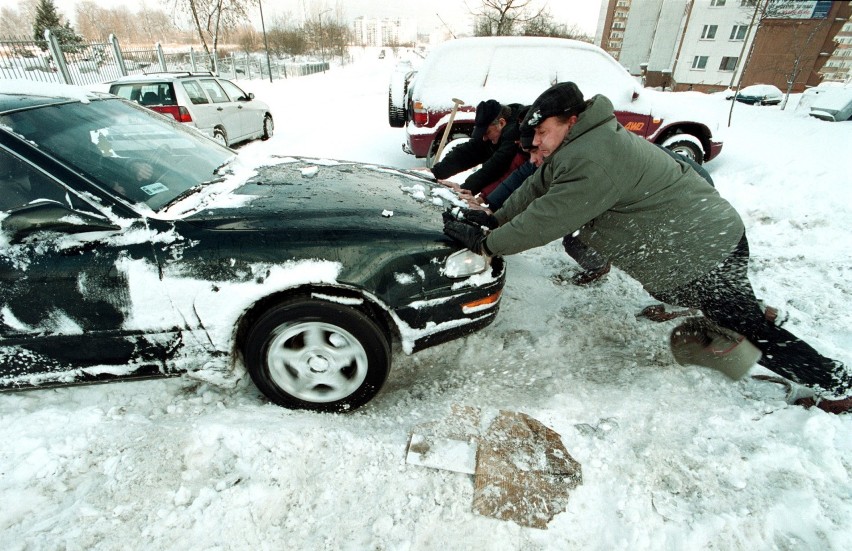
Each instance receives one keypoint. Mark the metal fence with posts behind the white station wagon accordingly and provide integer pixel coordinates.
(104, 61)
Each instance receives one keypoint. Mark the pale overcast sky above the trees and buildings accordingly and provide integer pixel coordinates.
(583, 13)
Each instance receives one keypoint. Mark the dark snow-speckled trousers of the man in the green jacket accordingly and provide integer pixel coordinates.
(726, 297)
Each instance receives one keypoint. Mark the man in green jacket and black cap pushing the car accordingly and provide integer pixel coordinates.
(661, 223)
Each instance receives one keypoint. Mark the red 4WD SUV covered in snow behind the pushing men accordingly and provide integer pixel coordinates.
(517, 70)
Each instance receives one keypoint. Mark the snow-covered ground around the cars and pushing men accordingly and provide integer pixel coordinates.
(673, 457)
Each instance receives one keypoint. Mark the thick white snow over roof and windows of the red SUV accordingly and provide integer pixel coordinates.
(517, 69)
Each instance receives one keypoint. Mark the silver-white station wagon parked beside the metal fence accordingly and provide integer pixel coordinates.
(216, 106)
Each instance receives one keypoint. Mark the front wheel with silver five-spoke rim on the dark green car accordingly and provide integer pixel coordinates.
(318, 356)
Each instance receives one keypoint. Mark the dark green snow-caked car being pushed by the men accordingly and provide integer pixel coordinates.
(109, 271)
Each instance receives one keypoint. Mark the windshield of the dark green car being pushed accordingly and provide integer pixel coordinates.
(141, 156)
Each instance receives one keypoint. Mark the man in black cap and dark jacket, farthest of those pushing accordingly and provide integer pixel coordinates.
(493, 145)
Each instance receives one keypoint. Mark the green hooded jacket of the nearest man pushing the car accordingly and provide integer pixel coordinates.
(651, 215)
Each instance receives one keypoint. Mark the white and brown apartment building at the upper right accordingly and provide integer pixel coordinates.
(704, 44)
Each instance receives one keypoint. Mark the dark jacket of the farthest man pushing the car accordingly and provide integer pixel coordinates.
(495, 159)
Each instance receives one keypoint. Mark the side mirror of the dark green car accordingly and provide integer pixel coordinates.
(49, 215)
